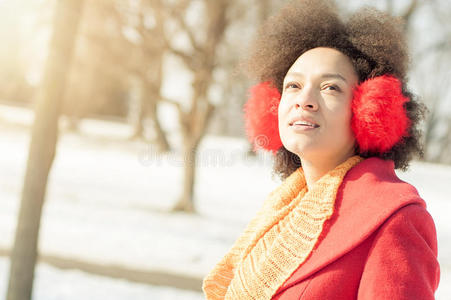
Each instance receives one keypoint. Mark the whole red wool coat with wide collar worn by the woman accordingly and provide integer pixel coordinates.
(379, 244)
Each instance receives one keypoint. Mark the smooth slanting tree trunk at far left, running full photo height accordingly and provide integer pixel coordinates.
(42, 149)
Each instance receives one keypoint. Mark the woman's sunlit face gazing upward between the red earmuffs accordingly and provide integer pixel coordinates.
(315, 108)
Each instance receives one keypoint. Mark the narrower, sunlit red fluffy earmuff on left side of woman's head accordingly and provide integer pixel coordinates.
(260, 113)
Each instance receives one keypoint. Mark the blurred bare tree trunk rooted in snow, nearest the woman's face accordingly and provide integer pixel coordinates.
(194, 121)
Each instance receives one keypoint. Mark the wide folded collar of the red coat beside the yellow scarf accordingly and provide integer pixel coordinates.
(369, 194)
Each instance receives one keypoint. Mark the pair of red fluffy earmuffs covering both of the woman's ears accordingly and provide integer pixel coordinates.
(379, 119)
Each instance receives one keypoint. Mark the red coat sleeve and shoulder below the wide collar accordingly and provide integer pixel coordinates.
(403, 256)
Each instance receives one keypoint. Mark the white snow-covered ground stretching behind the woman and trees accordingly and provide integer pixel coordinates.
(108, 198)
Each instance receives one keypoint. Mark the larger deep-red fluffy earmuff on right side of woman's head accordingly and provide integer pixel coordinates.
(379, 119)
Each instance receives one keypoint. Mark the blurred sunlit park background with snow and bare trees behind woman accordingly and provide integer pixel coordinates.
(125, 169)
